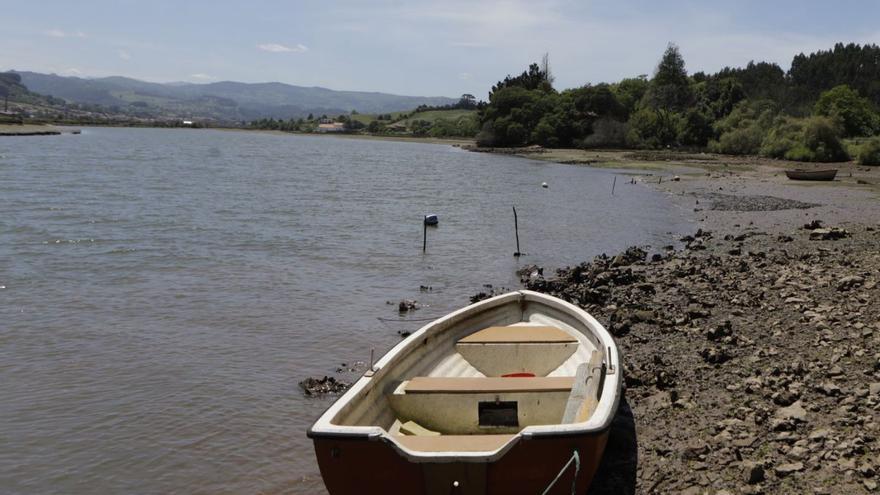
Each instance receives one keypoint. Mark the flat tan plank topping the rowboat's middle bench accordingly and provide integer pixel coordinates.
(424, 384)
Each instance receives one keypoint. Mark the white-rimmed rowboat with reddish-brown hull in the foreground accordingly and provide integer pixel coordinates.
(513, 394)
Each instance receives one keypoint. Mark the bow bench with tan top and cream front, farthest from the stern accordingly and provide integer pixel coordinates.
(497, 351)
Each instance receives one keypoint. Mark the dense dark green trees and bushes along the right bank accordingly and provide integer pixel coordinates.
(757, 109)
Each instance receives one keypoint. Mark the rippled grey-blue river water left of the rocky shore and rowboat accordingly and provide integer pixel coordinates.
(165, 290)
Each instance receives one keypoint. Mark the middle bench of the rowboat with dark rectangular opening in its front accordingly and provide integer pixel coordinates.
(480, 405)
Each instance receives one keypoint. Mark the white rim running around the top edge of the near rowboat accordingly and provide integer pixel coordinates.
(599, 422)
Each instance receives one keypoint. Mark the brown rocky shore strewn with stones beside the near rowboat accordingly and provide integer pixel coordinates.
(752, 360)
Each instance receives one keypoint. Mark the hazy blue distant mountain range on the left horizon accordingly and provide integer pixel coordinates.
(220, 101)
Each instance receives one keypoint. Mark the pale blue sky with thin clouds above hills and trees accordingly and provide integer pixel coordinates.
(431, 48)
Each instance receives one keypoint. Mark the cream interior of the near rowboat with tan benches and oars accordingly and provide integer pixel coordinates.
(472, 381)
